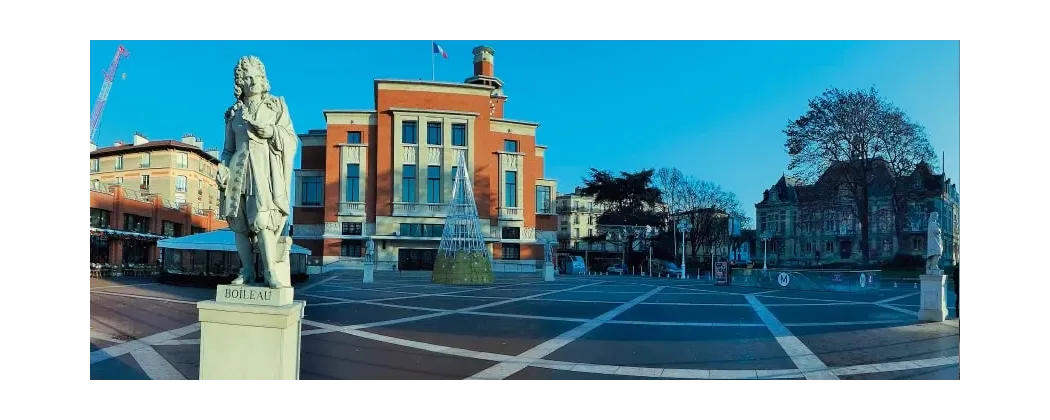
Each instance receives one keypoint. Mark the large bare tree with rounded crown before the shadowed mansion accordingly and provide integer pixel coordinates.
(844, 138)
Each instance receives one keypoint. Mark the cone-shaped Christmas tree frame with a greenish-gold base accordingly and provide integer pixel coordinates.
(463, 259)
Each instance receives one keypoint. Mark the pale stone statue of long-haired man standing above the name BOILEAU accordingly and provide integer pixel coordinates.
(256, 172)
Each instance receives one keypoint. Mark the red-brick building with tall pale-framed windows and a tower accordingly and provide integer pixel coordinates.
(387, 174)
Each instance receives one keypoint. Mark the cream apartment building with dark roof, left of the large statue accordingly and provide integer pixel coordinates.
(177, 172)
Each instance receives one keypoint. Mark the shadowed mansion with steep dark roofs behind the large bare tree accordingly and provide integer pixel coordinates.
(807, 227)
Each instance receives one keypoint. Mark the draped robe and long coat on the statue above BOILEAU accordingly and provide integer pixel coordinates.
(258, 192)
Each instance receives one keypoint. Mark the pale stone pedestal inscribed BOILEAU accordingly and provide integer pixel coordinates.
(250, 334)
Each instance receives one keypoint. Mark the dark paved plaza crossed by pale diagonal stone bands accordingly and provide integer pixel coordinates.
(402, 329)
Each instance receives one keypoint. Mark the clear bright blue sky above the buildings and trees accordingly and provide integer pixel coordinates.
(715, 110)
